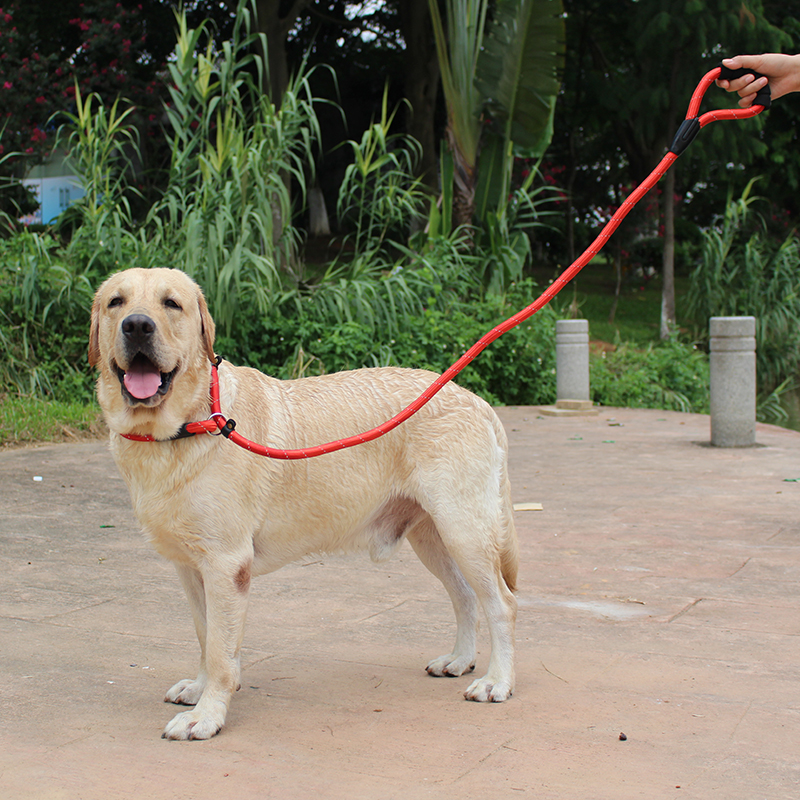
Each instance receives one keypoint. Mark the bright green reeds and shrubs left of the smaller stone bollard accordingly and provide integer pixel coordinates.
(226, 218)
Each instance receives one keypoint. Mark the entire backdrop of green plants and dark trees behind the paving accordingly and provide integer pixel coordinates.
(199, 139)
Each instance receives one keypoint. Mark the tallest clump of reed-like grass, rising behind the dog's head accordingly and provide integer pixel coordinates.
(226, 215)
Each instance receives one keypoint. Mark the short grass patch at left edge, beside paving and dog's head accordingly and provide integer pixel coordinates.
(28, 420)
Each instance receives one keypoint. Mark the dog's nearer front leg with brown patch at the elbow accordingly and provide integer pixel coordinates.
(226, 589)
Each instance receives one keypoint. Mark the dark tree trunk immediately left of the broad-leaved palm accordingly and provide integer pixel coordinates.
(421, 84)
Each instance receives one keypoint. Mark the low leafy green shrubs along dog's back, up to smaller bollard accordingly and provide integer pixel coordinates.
(518, 368)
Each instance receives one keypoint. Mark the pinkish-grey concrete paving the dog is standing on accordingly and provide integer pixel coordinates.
(659, 599)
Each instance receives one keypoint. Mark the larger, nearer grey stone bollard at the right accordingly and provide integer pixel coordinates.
(733, 381)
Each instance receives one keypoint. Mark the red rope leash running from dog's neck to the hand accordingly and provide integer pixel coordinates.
(686, 133)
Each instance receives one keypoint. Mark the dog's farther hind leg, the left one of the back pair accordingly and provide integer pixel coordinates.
(428, 545)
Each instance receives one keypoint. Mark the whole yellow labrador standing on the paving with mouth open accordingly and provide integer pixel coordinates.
(439, 480)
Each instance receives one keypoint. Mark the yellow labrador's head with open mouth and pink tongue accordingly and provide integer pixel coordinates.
(152, 339)
